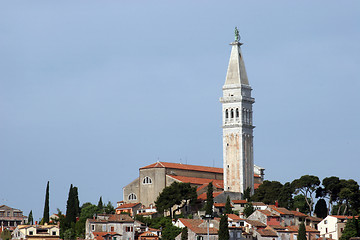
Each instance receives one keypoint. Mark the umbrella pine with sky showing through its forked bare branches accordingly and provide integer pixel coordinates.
(307, 185)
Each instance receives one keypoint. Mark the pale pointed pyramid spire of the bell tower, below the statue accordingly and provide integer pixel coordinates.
(236, 73)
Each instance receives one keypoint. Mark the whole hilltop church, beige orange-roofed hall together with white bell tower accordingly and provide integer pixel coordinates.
(238, 173)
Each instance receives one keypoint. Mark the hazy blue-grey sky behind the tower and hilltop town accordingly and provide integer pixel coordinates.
(90, 91)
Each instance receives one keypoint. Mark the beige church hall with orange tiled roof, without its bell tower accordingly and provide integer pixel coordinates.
(155, 177)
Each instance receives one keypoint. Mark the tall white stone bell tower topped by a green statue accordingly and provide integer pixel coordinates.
(237, 125)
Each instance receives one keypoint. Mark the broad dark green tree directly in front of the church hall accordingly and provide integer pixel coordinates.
(179, 194)
